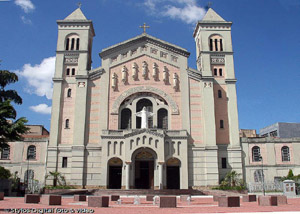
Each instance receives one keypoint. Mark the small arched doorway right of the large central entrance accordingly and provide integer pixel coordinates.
(173, 173)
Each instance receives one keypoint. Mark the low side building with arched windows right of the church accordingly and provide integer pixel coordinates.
(273, 157)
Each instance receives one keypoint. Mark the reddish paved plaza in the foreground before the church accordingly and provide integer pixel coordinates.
(203, 204)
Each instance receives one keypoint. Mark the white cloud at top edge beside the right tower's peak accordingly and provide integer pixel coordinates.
(185, 10)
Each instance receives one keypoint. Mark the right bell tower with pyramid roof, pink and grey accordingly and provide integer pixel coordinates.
(215, 62)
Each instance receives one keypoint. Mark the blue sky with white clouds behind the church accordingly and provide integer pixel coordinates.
(265, 34)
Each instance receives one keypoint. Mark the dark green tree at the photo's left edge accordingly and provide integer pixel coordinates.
(11, 129)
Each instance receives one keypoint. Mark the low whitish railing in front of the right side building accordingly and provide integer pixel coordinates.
(268, 187)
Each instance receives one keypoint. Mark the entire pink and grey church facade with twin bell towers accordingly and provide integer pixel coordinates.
(98, 138)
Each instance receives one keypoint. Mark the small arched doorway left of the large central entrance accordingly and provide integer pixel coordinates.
(115, 173)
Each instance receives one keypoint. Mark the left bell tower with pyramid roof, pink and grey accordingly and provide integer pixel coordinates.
(69, 104)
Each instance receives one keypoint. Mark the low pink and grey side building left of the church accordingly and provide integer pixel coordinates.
(27, 158)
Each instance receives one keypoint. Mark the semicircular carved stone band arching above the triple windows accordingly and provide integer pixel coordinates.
(129, 92)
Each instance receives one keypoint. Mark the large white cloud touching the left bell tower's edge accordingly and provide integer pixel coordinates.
(39, 77)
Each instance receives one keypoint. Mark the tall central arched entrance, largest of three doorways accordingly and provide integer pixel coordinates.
(144, 168)
